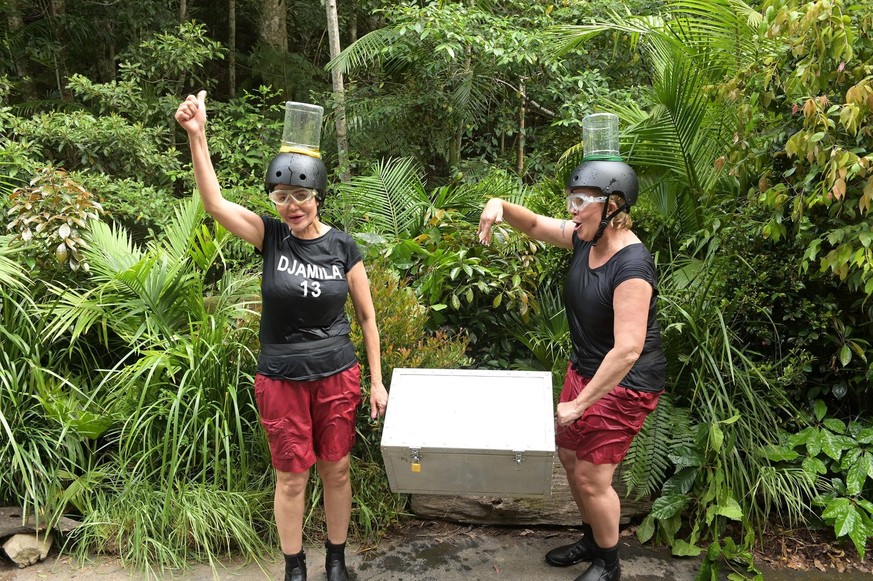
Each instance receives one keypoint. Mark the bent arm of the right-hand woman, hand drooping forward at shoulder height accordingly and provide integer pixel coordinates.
(550, 230)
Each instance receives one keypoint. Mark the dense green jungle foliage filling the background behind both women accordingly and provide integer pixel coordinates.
(129, 319)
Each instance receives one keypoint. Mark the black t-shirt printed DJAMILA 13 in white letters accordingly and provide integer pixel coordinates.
(304, 329)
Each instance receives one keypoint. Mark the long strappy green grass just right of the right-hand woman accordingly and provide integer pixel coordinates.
(729, 387)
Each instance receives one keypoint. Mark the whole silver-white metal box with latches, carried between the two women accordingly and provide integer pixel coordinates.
(469, 432)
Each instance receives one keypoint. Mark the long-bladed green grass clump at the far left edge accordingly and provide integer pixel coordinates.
(47, 422)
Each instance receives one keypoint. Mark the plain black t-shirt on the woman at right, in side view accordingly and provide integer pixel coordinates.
(588, 299)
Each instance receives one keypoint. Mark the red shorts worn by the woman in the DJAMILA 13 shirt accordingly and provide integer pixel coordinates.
(305, 420)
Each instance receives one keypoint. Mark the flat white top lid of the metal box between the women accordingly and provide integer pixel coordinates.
(468, 409)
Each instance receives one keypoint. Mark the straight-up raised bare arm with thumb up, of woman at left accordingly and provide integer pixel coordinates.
(238, 220)
